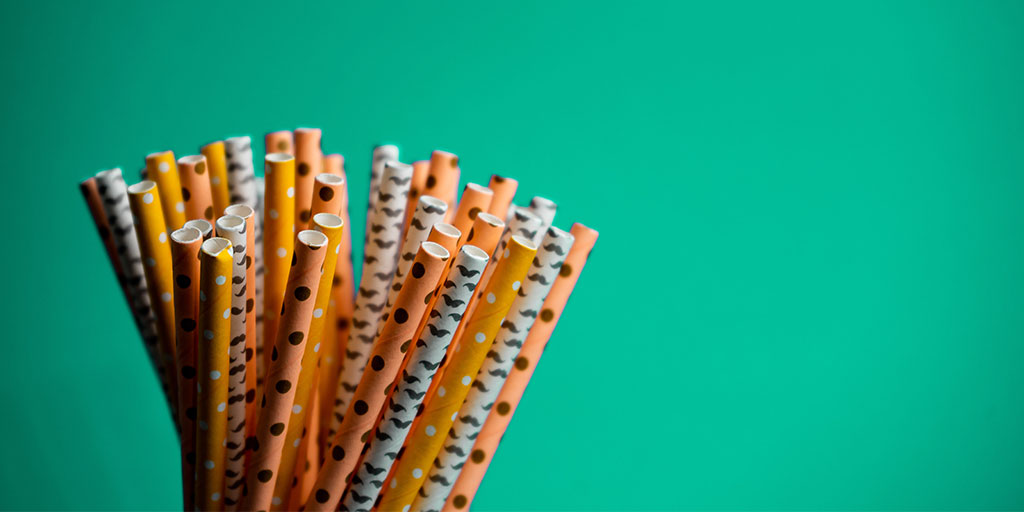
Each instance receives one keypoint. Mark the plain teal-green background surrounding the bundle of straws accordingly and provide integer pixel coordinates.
(807, 293)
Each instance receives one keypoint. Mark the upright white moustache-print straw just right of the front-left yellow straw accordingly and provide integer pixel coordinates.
(233, 228)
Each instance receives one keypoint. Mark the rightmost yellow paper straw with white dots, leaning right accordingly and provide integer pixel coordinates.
(441, 408)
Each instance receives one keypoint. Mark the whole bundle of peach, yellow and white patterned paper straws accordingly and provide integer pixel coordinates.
(291, 387)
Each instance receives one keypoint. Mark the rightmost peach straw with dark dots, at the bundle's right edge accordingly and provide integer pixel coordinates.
(511, 394)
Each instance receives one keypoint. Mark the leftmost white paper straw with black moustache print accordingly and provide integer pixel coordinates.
(111, 187)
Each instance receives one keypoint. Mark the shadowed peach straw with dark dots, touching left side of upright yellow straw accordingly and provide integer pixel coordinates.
(185, 265)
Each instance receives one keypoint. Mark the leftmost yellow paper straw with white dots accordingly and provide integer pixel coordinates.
(145, 201)
